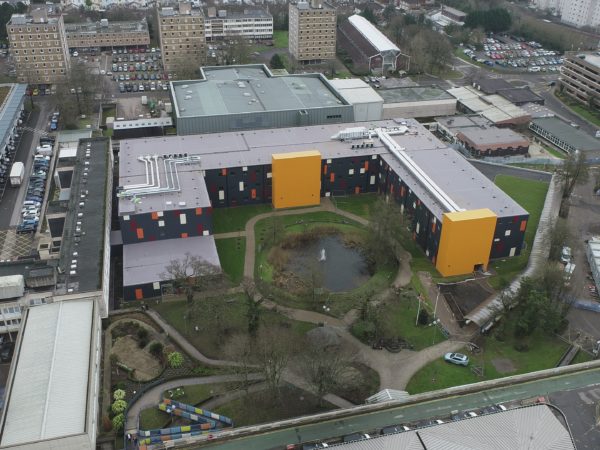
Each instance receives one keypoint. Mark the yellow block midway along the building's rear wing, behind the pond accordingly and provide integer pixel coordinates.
(296, 179)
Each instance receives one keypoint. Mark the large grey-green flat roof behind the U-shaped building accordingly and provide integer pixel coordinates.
(228, 92)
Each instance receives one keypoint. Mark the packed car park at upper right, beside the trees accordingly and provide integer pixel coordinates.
(512, 54)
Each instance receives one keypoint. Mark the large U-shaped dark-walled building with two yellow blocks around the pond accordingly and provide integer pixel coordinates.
(458, 216)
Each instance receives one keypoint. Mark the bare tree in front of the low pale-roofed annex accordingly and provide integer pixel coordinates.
(191, 274)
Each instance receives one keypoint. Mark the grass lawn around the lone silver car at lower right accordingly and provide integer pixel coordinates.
(544, 352)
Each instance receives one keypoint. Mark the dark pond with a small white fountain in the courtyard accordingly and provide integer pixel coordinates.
(337, 267)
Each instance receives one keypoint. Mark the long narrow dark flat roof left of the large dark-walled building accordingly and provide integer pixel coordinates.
(86, 245)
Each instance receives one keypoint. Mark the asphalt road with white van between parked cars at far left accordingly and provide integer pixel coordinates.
(9, 214)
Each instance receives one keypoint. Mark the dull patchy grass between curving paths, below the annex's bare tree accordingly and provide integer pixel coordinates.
(218, 319)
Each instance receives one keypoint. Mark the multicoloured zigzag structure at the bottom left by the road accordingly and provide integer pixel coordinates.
(205, 422)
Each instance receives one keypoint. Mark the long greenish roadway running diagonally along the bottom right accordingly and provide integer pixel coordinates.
(406, 414)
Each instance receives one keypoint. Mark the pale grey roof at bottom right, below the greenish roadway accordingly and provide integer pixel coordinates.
(533, 428)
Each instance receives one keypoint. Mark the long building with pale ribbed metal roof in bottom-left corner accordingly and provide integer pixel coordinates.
(53, 385)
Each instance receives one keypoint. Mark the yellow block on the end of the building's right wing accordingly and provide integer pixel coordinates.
(466, 241)
